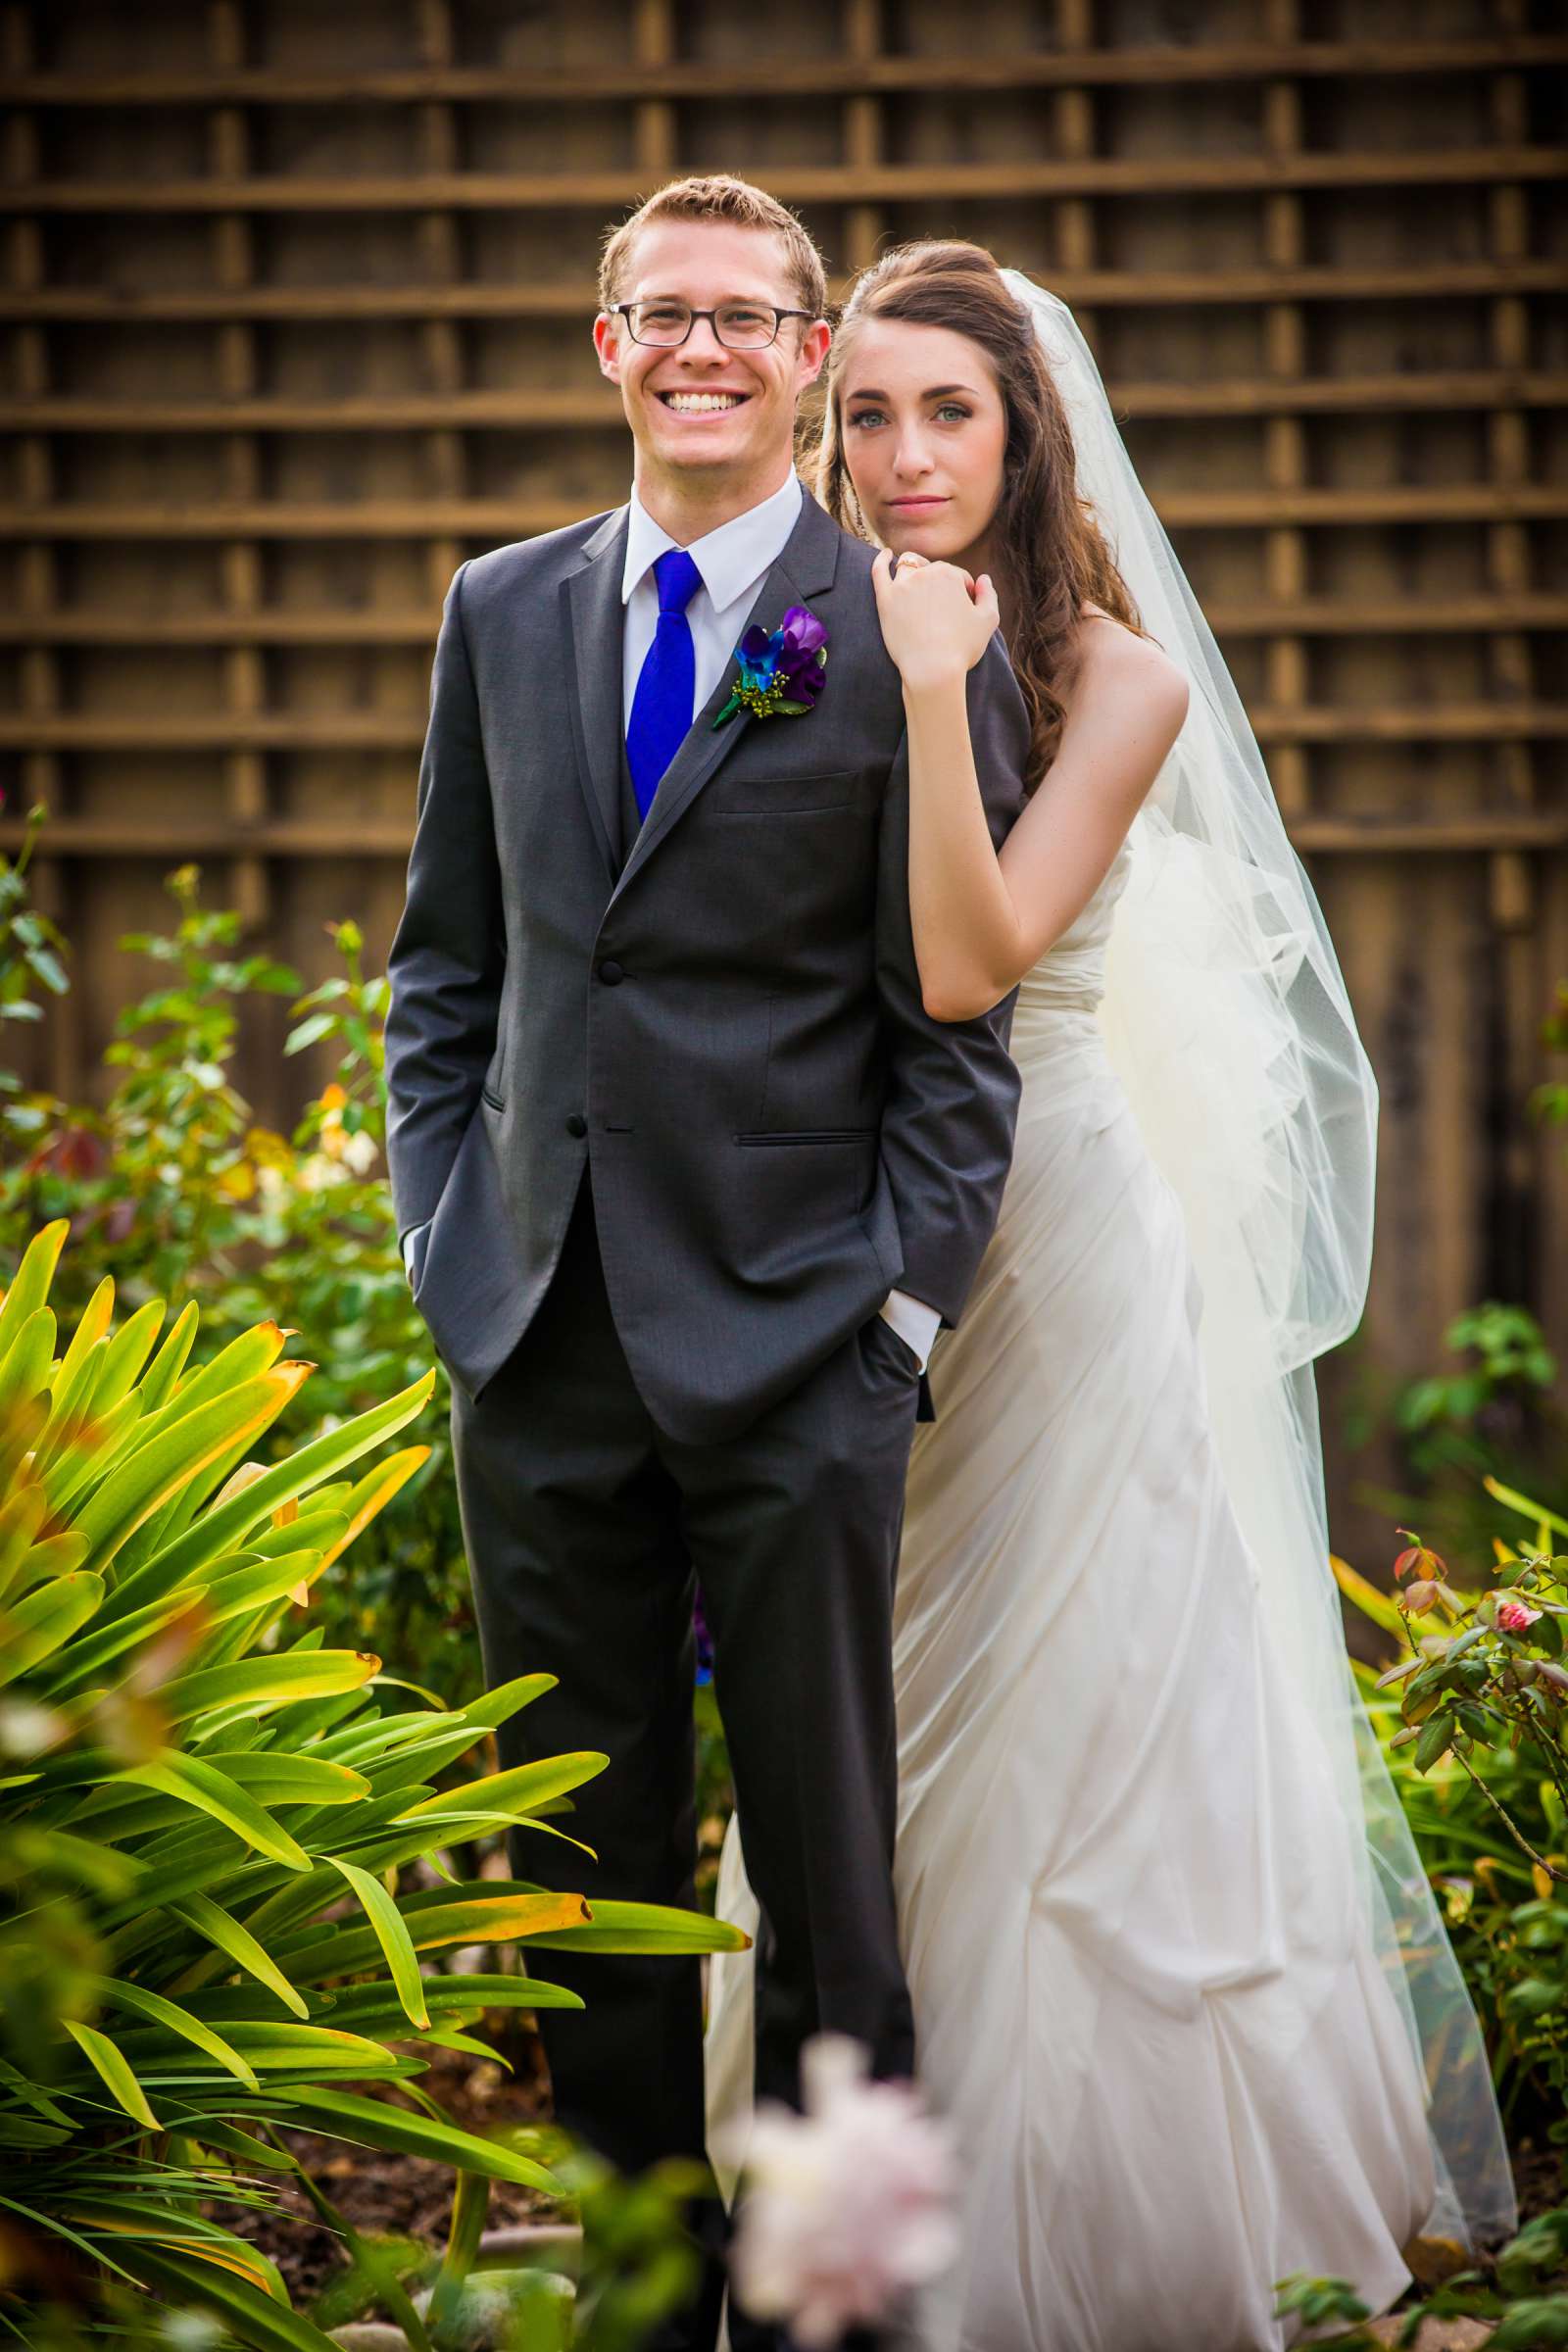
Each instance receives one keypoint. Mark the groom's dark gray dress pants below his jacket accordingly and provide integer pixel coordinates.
(587, 1530)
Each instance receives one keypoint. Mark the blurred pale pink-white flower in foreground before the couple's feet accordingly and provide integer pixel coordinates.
(845, 2207)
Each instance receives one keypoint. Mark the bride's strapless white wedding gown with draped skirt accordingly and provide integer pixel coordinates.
(1130, 1913)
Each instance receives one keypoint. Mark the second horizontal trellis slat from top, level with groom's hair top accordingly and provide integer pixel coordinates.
(803, 185)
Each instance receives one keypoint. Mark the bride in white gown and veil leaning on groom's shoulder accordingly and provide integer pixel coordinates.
(1177, 1972)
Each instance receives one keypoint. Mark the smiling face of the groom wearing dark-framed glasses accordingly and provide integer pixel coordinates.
(704, 408)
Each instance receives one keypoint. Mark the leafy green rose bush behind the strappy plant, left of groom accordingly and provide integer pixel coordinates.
(177, 1194)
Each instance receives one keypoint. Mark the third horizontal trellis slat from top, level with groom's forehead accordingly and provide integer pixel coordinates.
(1106, 290)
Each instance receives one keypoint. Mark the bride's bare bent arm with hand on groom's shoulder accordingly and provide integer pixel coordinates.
(984, 918)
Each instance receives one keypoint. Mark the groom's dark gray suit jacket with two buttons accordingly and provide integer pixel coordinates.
(725, 1029)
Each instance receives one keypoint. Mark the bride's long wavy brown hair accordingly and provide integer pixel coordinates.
(1050, 549)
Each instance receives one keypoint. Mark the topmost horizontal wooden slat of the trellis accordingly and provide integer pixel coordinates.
(798, 74)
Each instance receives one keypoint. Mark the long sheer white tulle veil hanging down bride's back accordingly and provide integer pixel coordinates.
(1231, 1029)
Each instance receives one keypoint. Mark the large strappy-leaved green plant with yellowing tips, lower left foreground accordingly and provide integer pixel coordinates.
(203, 1824)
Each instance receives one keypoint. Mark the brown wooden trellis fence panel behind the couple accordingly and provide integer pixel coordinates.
(297, 316)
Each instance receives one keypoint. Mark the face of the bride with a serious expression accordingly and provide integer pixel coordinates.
(925, 436)
